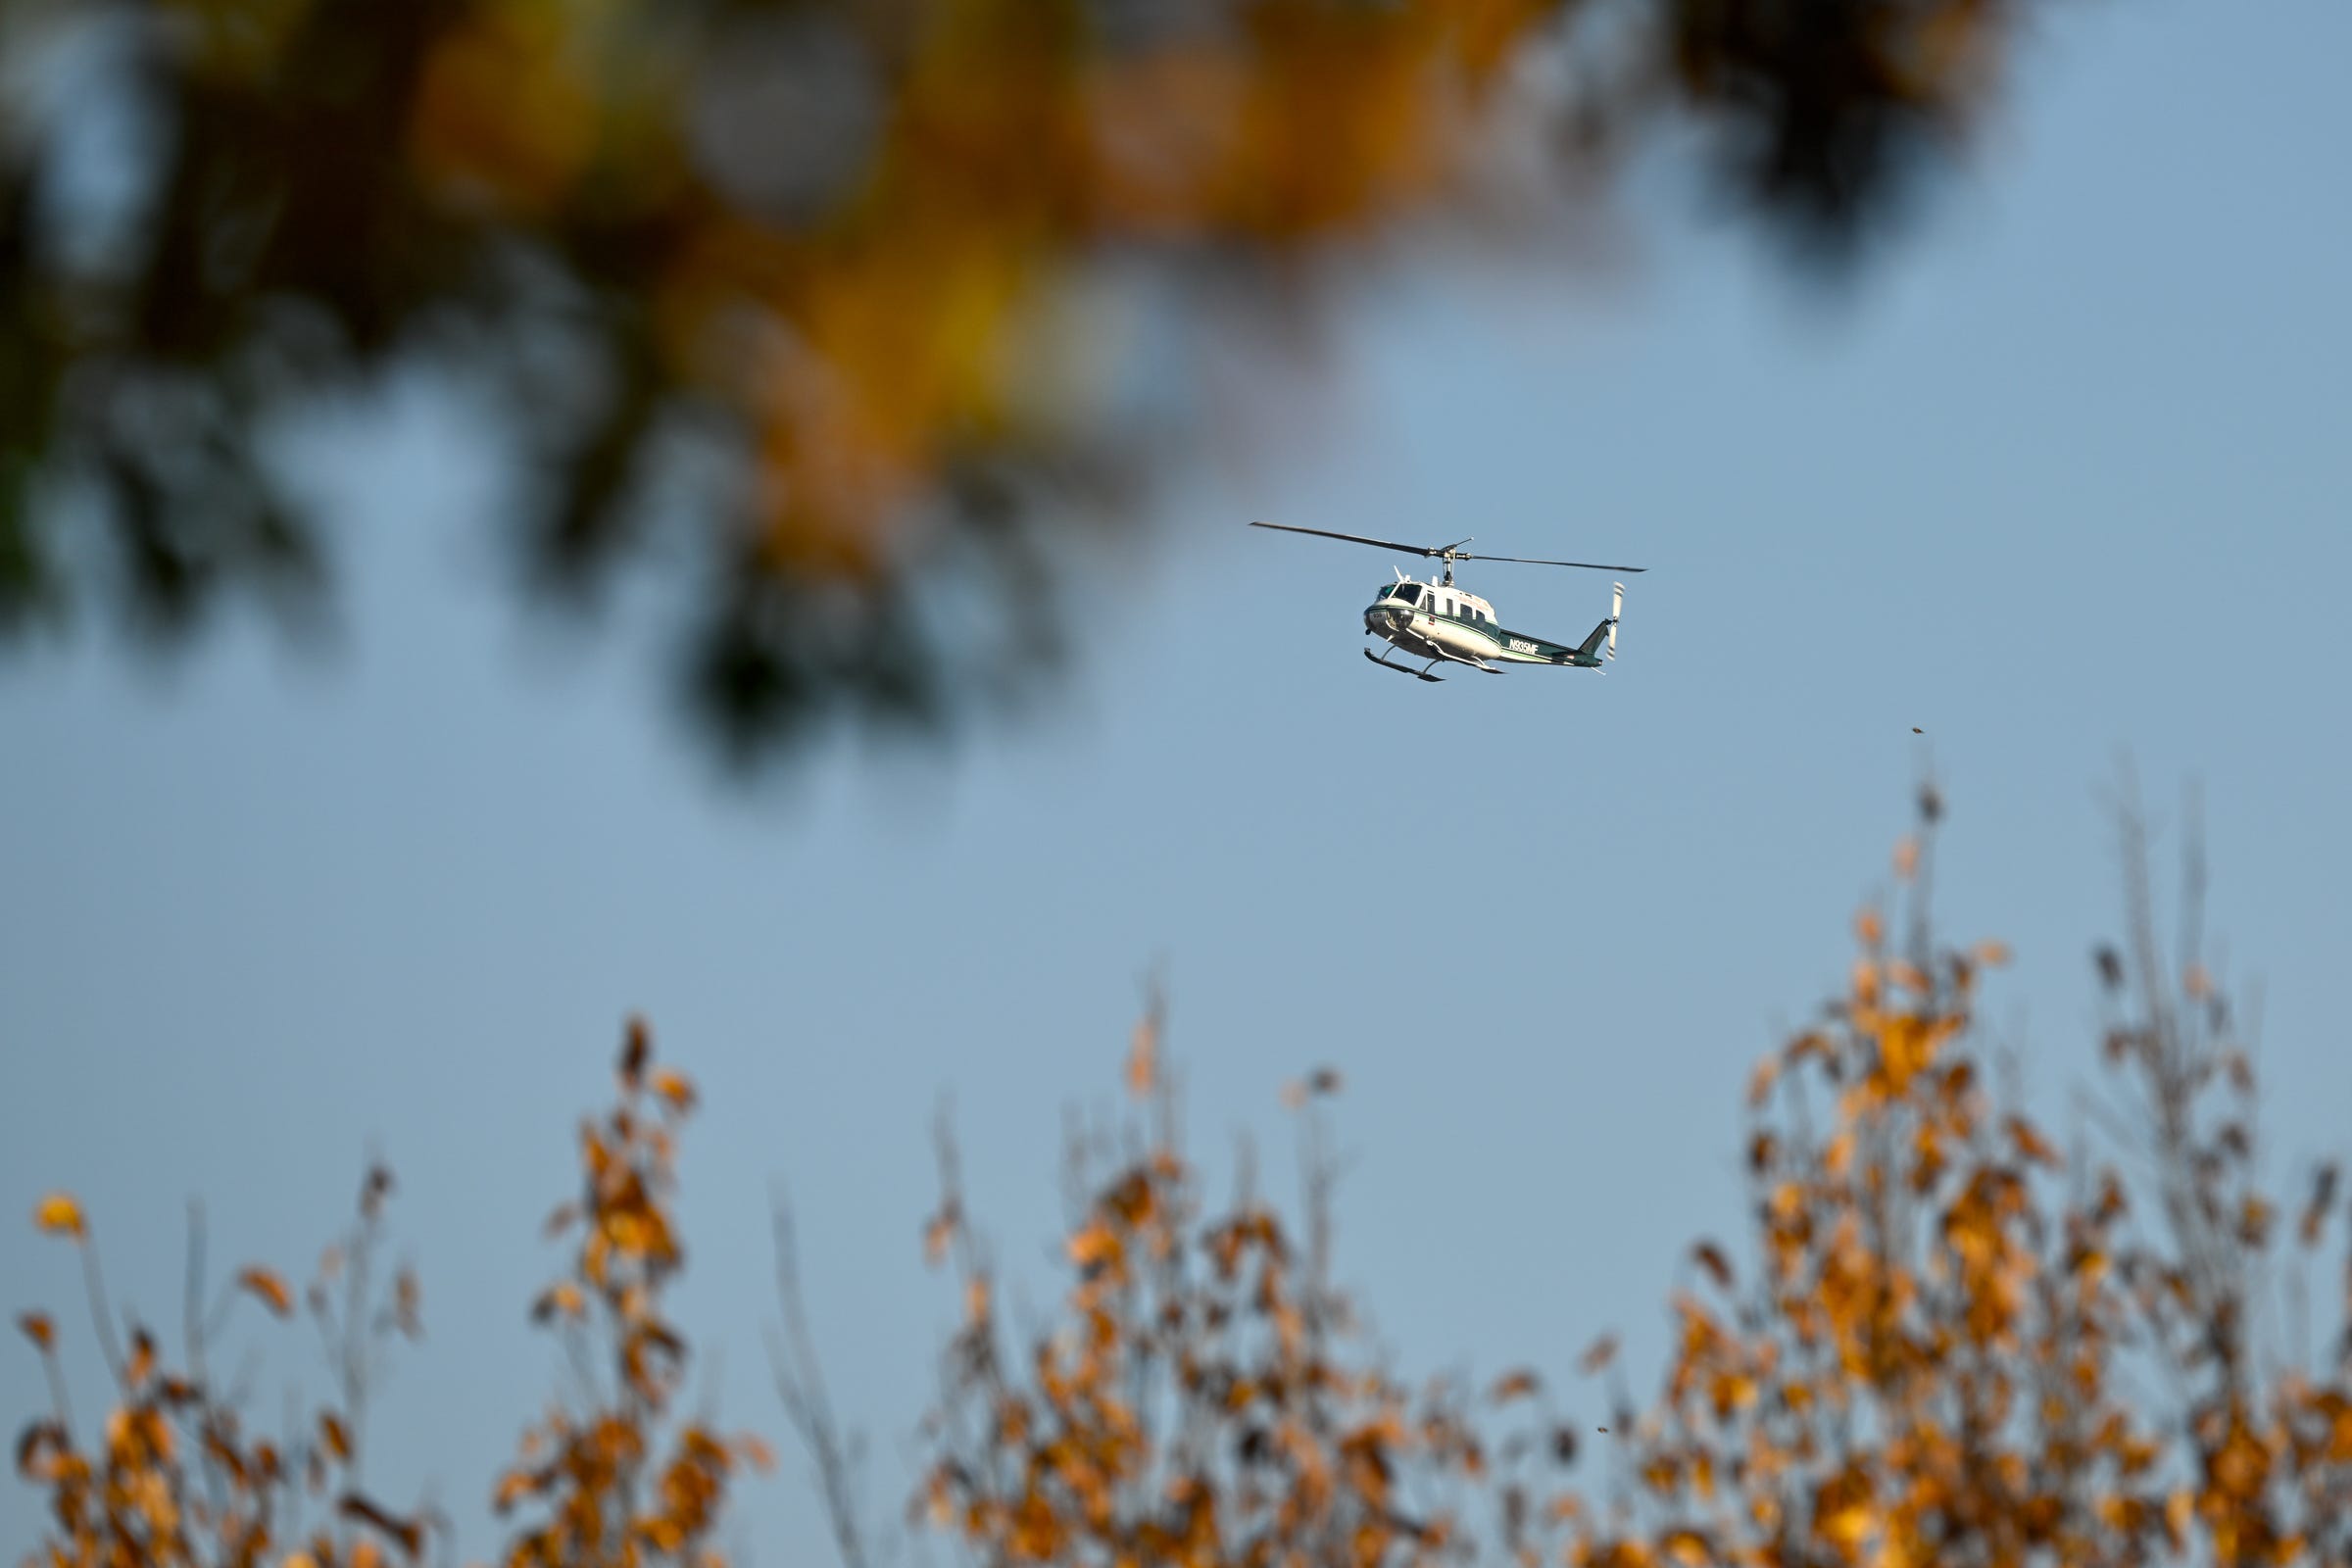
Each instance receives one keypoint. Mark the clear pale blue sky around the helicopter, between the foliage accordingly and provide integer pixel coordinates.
(2069, 481)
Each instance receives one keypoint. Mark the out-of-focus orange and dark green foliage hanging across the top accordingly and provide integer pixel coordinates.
(857, 309)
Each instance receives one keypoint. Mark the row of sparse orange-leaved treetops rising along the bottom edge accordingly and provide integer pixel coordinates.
(1946, 1339)
